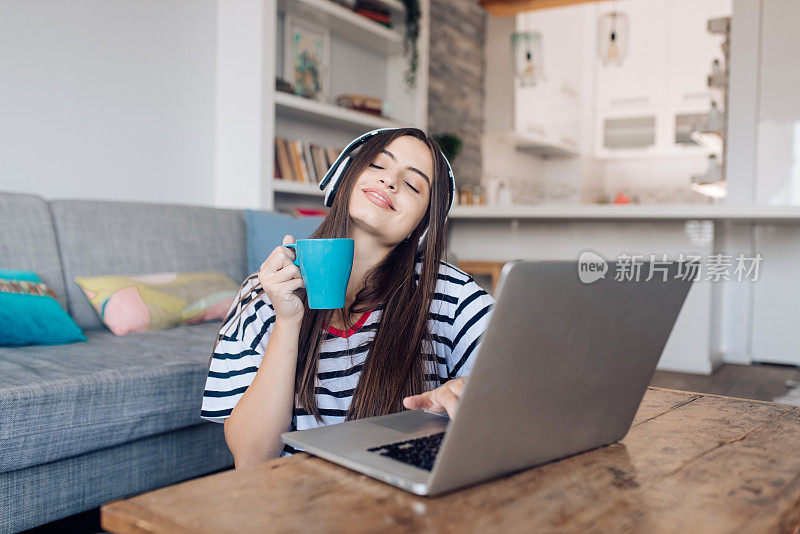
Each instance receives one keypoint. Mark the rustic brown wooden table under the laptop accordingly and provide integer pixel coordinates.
(690, 463)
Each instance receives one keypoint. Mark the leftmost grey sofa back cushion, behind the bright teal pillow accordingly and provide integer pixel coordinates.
(28, 242)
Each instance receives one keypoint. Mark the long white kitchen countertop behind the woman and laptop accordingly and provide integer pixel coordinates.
(572, 212)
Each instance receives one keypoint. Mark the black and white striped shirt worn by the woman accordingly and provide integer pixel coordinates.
(459, 314)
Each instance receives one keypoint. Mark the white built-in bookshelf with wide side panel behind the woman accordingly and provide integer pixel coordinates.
(365, 58)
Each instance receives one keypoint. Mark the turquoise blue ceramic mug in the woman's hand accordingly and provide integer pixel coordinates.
(325, 265)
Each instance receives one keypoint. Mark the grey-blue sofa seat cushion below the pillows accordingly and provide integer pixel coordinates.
(58, 402)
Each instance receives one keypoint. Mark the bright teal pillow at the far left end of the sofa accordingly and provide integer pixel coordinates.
(30, 314)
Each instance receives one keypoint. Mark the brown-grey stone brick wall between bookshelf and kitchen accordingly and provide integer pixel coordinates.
(455, 92)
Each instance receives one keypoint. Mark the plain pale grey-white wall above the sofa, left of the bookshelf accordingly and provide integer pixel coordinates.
(108, 99)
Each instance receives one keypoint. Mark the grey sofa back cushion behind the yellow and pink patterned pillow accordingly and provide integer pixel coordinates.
(97, 237)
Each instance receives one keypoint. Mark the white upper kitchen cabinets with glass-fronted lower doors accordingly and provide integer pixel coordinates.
(664, 74)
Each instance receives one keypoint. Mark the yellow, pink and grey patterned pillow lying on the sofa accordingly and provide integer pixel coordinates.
(136, 303)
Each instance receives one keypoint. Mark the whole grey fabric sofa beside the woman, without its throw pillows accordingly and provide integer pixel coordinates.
(86, 423)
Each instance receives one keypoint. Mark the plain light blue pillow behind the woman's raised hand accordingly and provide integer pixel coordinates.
(265, 231)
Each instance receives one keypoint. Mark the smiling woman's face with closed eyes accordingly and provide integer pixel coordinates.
(391, 196)
